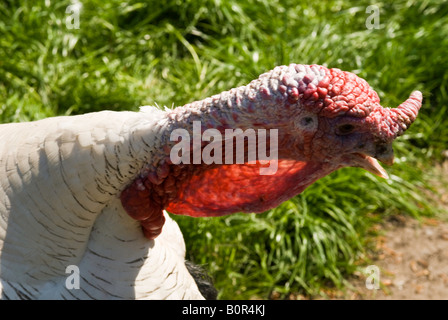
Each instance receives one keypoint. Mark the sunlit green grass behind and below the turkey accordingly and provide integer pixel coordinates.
(131, 53)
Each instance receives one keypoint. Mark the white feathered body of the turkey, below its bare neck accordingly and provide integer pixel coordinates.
(59, 206)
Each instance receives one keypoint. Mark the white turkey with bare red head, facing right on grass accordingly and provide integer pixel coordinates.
(91, 190)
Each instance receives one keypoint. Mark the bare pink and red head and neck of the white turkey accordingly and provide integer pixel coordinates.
(326, 119)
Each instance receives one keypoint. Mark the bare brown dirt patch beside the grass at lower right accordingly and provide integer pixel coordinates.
(412, 255)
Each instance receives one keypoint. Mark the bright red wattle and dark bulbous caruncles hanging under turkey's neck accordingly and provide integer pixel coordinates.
(216, 190)
